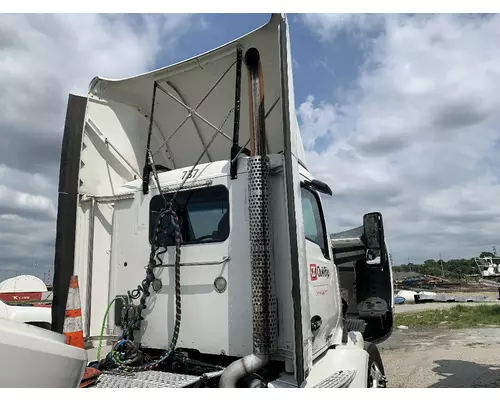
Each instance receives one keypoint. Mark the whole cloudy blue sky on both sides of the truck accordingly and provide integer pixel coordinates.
(398, 114)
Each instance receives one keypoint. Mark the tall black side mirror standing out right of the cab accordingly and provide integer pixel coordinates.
(373, 230)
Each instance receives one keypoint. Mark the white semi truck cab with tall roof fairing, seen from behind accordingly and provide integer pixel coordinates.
(188, 212)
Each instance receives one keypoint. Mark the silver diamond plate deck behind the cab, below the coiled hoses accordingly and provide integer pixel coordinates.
(145, 379)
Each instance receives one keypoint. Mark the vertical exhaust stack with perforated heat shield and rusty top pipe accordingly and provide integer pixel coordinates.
(264, 319)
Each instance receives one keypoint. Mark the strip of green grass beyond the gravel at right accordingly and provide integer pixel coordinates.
(458, 317)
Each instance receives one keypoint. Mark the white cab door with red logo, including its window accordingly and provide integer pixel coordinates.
(324, 296)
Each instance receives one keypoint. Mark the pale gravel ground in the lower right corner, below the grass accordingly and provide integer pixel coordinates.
(441, 358)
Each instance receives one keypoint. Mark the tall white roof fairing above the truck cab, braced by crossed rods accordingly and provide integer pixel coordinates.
(189, 81)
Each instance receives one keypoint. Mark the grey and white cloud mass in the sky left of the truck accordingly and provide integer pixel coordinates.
(42, 59)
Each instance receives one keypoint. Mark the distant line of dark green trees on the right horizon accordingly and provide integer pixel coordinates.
(458, 268)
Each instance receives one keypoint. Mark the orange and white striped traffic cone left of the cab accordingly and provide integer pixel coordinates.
(73, 325)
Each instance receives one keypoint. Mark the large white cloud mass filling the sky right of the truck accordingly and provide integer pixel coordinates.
(417, 138)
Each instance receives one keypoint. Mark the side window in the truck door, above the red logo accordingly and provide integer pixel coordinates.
(314, 224)
